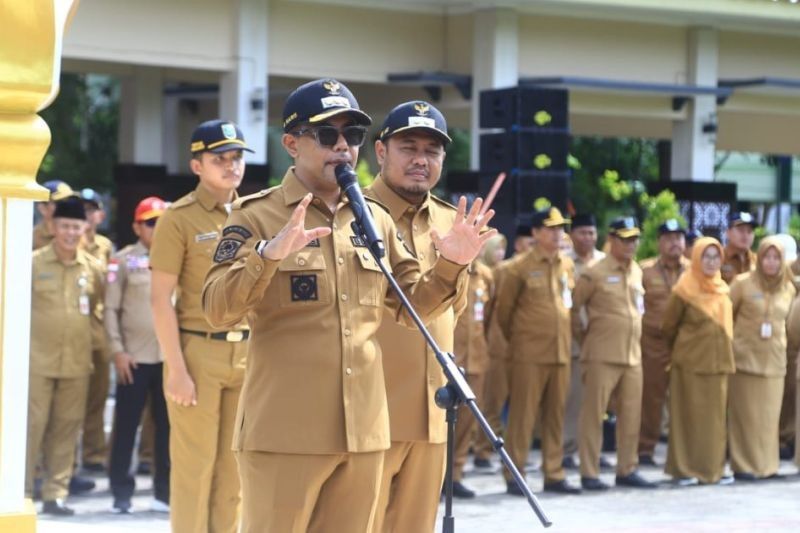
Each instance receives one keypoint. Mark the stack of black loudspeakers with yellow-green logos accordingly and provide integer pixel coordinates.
(530, 143)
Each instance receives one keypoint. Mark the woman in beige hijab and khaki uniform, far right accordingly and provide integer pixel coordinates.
(761, 302)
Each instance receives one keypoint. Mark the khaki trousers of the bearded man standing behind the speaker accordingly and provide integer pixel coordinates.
(413, 473)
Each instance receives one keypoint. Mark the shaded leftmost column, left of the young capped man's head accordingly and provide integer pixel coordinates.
(141, 130)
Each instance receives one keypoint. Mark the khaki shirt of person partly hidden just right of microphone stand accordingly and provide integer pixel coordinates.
(470, 344)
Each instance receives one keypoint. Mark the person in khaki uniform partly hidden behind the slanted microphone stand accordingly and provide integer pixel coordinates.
(472, 354)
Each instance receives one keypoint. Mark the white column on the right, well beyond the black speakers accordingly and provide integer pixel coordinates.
(692, 149)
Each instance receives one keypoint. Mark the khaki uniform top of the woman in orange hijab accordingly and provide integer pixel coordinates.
(698, 344)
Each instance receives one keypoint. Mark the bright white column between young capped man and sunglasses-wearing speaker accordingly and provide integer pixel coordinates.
(243, 91)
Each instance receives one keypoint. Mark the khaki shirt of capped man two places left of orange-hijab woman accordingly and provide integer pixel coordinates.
(614, 299)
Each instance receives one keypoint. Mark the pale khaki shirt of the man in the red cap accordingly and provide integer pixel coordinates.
(128, 318)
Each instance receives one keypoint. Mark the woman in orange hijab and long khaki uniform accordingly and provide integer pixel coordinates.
(698, 325)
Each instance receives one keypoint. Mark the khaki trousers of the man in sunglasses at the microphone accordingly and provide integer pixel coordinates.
(290, 493)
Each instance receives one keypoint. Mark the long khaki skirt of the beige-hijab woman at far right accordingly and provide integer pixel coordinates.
(754, 408)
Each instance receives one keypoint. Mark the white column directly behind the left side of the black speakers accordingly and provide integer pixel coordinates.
(495, 62)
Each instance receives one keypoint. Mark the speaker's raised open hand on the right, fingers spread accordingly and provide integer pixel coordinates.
(464, 241)
